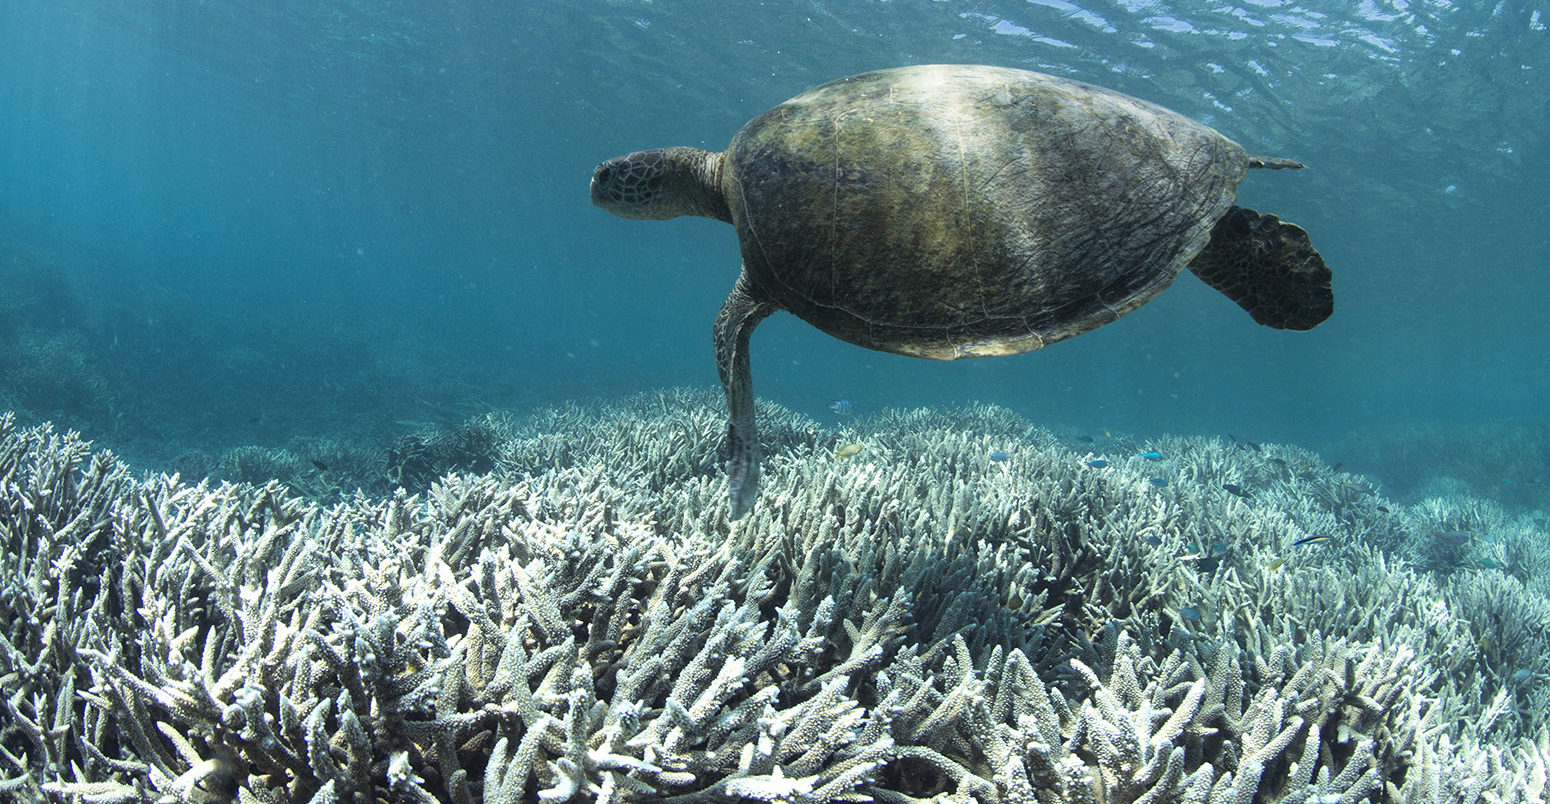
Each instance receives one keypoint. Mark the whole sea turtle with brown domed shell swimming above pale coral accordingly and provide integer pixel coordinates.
(957, 211)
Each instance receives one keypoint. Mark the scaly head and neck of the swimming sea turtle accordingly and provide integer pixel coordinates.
(661, 184)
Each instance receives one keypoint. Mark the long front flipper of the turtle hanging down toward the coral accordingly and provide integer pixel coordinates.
(735, 325)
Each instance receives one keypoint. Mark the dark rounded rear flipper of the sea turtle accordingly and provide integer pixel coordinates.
(1270, 269)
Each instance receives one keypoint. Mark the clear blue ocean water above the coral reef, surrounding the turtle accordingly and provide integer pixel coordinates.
(230, 224)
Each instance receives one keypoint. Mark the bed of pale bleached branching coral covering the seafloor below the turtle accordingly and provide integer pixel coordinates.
(918, 622)
